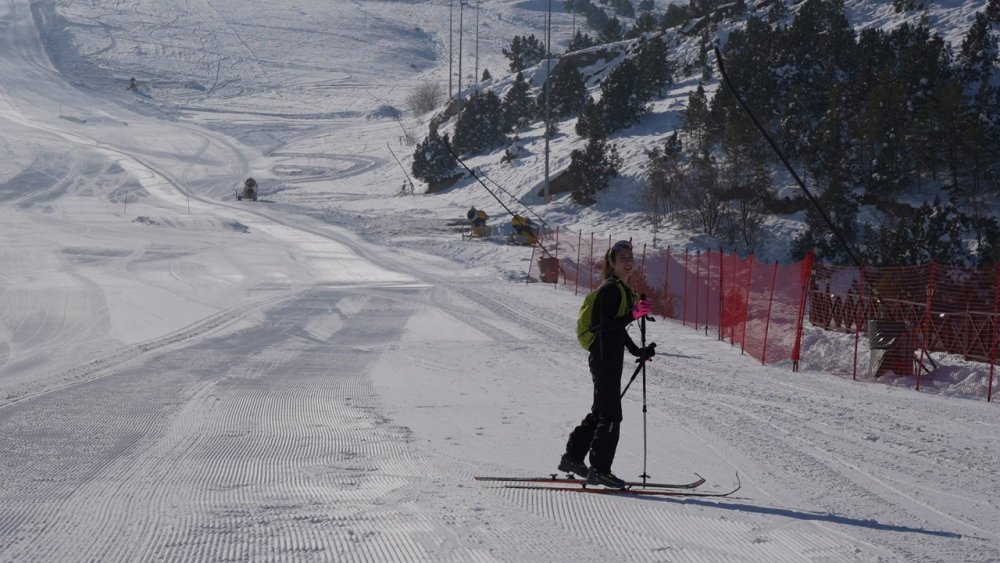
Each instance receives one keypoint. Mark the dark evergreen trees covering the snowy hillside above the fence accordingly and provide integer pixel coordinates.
(899, 130)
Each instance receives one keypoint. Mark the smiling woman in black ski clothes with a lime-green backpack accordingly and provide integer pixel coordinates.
(615, 306)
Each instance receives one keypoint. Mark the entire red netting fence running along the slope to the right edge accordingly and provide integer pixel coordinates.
(763, 307)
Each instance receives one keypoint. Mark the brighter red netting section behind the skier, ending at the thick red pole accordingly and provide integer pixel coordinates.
(757, 306)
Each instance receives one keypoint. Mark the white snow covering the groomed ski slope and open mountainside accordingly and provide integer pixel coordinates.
(320, 374)
